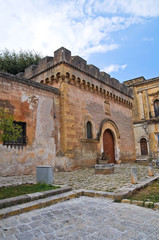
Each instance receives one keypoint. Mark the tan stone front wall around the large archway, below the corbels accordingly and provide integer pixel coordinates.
(79, 106)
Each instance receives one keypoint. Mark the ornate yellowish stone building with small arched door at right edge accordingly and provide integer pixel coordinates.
(146, 116)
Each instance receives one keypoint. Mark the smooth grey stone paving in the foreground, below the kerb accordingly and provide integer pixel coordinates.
(83, 218)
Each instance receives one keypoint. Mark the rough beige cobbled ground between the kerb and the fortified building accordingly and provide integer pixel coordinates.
(87, 178)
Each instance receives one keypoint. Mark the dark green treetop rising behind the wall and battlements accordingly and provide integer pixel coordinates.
(15, 62)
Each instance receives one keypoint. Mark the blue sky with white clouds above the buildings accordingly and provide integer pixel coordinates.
(121, 37)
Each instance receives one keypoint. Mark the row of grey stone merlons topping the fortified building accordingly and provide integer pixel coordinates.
(62, 55)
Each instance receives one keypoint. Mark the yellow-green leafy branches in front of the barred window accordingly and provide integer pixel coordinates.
(9, 131)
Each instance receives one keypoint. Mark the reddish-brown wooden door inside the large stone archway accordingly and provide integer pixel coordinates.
(108, 146)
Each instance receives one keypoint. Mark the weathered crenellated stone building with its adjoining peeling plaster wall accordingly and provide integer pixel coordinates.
(58, 99)
